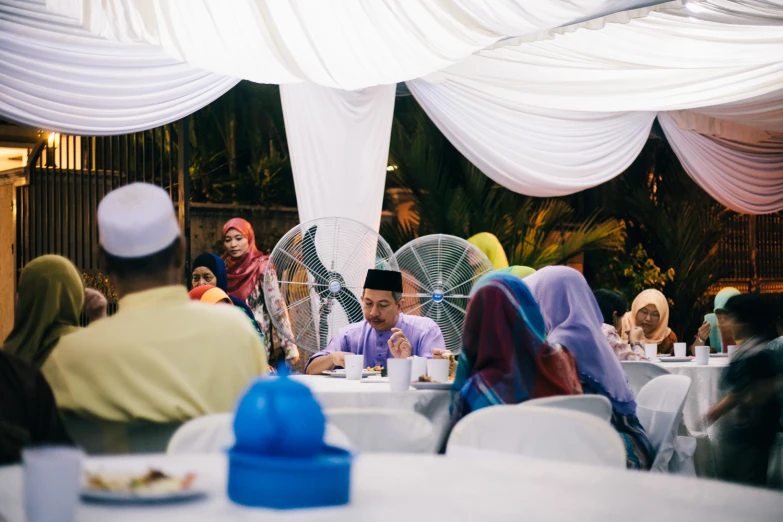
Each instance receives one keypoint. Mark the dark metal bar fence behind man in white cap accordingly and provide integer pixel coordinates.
(67, 176)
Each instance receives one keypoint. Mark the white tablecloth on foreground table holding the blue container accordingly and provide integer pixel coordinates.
(399, 488)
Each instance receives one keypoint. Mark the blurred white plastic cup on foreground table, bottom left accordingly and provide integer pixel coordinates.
(52, 480)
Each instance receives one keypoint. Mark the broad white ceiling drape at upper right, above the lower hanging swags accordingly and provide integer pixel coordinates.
(667, 60)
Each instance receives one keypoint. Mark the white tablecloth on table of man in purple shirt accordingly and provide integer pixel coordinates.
(335, 392)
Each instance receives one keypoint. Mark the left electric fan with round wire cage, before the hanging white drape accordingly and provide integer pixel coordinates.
(315, 275)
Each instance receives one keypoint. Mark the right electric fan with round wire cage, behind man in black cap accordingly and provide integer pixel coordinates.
(438, 272)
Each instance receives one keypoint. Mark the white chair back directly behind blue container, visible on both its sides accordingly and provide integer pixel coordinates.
(215, 433)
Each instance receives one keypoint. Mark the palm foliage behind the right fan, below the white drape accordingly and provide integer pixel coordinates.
(449, 195)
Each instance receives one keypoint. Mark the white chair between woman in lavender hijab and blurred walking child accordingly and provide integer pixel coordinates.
(659, 409)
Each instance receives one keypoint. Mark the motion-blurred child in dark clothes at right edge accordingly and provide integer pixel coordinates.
(750, 412)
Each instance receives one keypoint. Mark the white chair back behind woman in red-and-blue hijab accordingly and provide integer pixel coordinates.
(544, 433)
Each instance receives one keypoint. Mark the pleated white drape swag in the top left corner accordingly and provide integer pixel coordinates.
(55, 75)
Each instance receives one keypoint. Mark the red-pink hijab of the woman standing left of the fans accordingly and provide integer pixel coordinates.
(244, 273)
